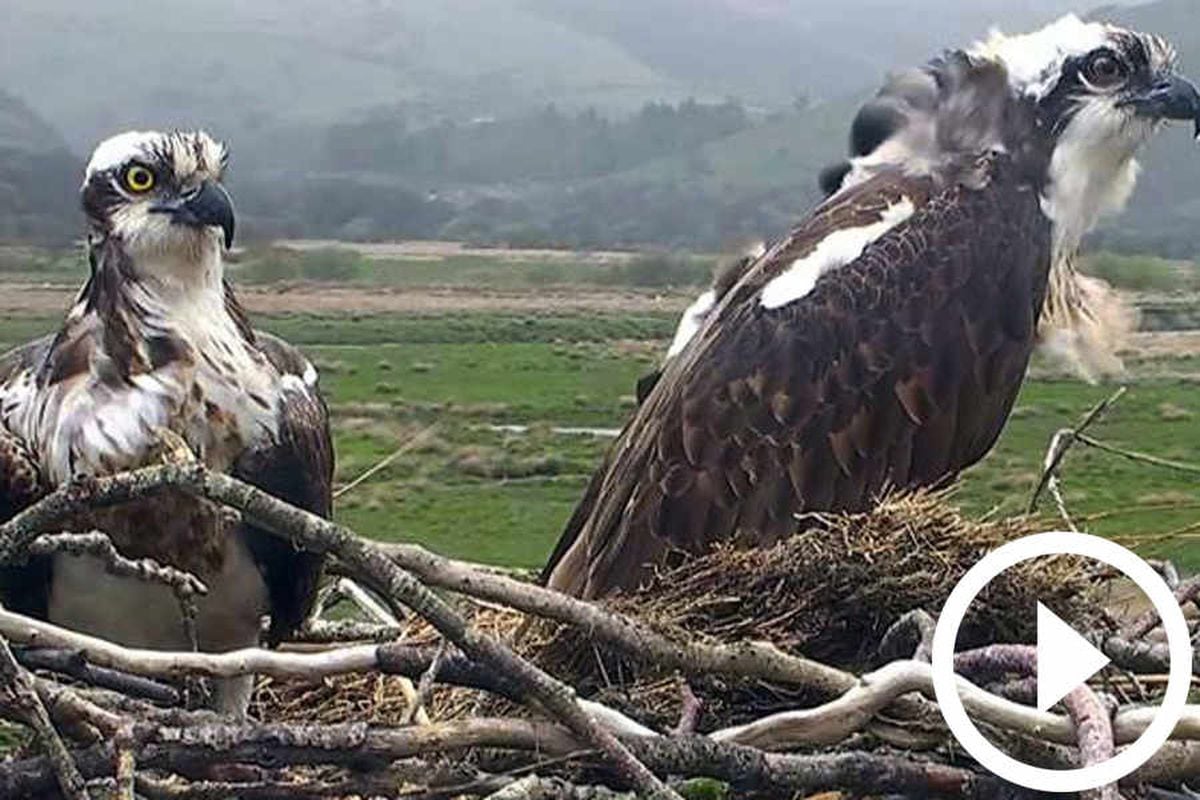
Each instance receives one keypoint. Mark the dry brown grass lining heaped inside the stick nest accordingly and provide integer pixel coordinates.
(830, 593)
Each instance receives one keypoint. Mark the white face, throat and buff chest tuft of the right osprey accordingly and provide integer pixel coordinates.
(1099, 93)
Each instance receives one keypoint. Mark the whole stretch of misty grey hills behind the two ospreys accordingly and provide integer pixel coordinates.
(580, 123)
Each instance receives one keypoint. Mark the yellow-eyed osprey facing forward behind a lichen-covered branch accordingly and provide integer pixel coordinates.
(154, 358)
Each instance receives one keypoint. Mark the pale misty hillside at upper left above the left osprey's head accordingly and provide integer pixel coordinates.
(251, 69)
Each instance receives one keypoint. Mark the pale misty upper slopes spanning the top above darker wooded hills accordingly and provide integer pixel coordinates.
(263, 68)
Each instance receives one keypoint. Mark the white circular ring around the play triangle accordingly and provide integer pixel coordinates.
(946, 682)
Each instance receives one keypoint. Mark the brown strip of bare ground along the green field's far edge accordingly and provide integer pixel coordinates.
(321, 299)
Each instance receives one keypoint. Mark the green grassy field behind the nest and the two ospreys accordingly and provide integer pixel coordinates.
(442, 387)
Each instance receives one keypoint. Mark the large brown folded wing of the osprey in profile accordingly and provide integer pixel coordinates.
(897, 370)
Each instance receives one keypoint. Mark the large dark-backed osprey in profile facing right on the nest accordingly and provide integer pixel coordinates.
(884, 341)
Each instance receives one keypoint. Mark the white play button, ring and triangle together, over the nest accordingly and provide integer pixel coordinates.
(1065, 661)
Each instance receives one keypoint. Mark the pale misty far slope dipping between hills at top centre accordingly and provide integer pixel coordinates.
(773, 51)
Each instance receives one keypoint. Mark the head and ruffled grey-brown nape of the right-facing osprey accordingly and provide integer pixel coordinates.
(1073, 103)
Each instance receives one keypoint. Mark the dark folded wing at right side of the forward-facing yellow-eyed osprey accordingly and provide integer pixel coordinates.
(297, 468)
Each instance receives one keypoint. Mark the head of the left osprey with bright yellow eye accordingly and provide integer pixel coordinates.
(160, 194)
